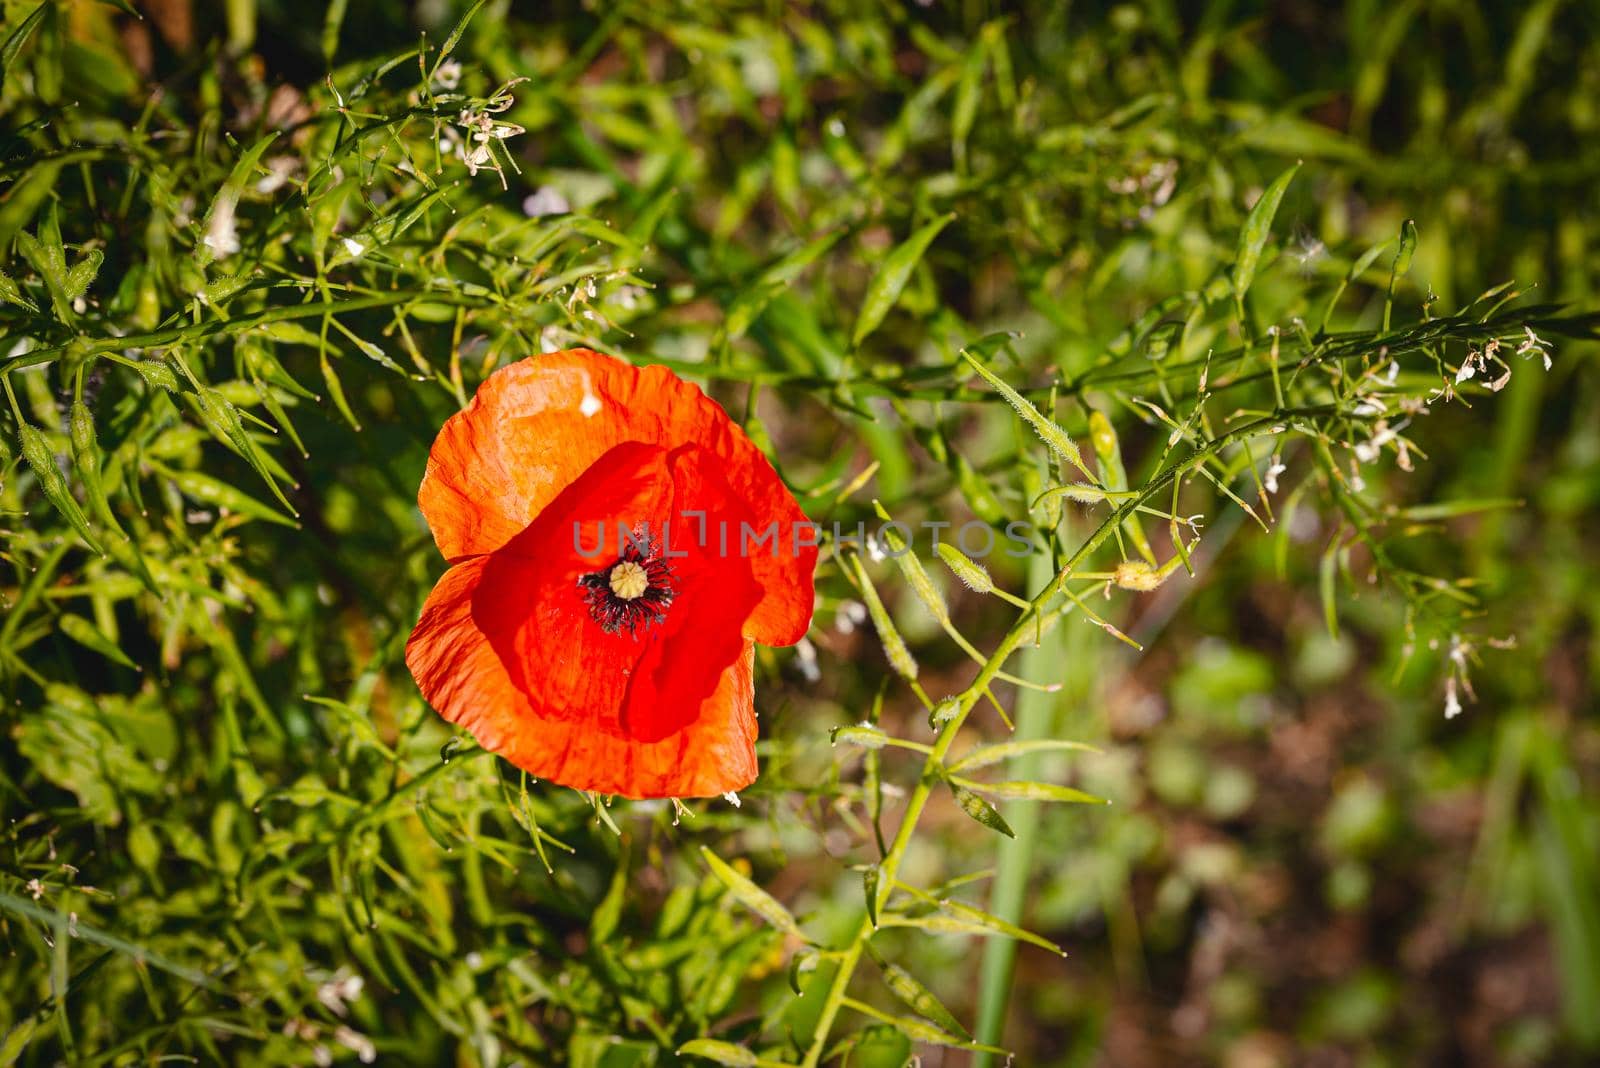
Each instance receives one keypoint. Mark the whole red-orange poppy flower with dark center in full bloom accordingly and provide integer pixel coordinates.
(617, 549)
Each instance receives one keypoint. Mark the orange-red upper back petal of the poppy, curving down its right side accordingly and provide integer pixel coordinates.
(537, 426)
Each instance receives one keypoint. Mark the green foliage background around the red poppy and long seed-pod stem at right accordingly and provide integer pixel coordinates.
(233, 832)
